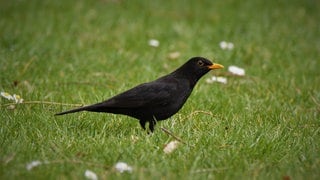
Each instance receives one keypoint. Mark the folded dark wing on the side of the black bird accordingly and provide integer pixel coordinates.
(147, 94)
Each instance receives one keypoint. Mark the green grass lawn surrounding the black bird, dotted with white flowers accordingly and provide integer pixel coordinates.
(262, 126)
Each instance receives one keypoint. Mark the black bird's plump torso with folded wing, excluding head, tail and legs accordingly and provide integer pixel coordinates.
(158, 99)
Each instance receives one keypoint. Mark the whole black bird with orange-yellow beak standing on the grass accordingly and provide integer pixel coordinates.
(156, 100)
